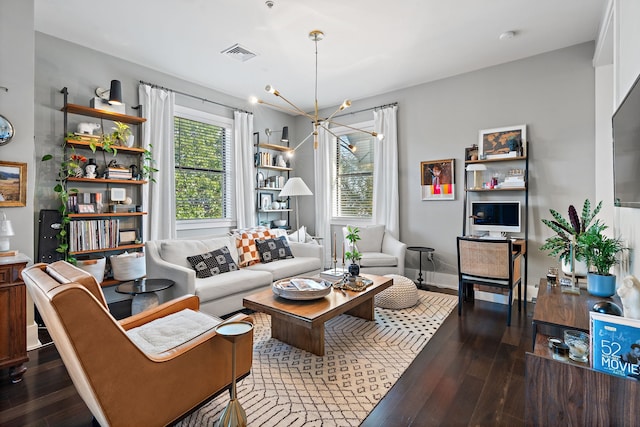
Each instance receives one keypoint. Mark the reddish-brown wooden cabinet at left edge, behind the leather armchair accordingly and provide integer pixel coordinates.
(13, 316)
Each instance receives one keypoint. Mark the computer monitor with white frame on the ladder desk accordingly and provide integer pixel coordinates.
(495, 218)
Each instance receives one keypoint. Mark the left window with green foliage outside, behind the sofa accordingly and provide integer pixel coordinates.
(203, 151)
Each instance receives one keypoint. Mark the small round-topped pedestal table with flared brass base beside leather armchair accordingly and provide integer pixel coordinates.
(233, 415)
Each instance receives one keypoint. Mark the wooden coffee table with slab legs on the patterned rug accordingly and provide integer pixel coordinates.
(301, 323)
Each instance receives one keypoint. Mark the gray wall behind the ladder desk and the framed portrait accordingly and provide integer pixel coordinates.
(552, 93)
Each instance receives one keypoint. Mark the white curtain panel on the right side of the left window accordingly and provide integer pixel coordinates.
(243, 169)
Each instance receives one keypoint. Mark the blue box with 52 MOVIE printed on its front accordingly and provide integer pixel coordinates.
(615, 345)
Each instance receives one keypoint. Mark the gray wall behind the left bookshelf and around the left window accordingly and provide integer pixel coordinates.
(62, 64)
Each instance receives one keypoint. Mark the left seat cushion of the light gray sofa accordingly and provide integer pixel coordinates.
(241, 281)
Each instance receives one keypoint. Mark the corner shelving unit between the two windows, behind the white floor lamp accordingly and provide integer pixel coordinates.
(270, 178)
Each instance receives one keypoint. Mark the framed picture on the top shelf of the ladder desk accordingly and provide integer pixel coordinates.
(505, 142)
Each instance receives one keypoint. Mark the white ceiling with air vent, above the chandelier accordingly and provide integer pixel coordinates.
(370, 46)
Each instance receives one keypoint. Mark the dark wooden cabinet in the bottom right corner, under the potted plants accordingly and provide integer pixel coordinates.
(571, 393)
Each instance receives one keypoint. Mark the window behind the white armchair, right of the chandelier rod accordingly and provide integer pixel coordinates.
(353, 184)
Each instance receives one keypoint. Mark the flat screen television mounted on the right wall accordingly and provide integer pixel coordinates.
(626, 150)
